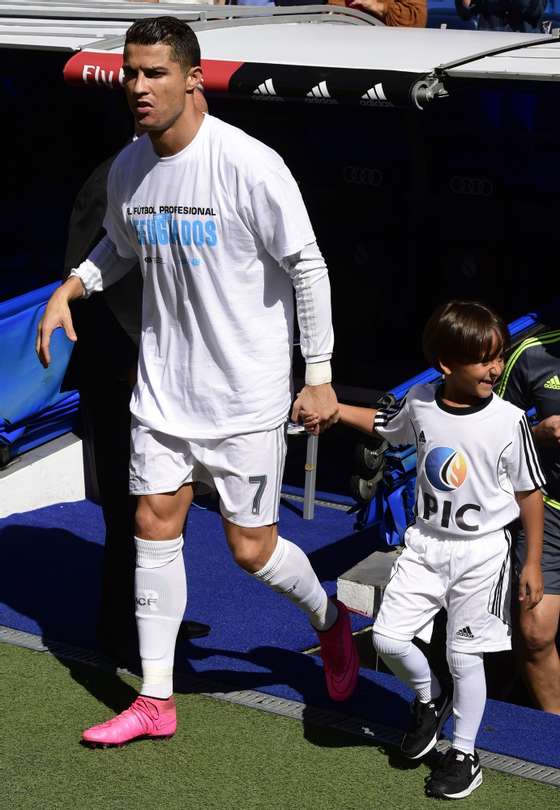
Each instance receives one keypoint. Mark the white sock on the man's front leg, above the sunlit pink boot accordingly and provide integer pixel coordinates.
(161, 599)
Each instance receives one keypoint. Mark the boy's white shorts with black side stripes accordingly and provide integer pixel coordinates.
(469, 578)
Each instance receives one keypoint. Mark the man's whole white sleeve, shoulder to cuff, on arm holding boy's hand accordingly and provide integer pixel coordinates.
(282, 223)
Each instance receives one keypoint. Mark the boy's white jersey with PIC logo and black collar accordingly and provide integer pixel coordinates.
(470, 461)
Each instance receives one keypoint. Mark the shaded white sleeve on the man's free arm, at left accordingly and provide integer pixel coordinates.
(113, 257)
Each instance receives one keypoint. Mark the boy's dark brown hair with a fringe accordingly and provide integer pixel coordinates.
(464, 332)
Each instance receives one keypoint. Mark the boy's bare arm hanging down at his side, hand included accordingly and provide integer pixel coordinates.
(532, 519)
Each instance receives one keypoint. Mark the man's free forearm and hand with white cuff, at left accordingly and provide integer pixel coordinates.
(103, 268)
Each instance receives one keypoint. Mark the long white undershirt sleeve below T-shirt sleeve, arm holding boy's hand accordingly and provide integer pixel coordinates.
(309, 275)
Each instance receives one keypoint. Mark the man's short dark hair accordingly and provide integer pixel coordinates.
(169, 31)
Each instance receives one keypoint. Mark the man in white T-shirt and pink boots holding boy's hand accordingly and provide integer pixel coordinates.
(217, 223)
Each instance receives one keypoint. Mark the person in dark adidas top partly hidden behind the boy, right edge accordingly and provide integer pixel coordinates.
(531, 379)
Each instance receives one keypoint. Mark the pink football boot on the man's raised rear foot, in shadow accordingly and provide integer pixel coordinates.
(340, 656)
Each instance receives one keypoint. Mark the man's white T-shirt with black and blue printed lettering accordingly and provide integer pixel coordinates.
(209, 226)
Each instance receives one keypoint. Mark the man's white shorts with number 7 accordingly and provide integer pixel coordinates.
(246, 470)
